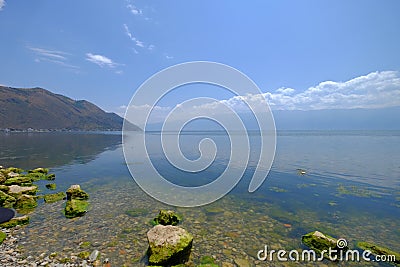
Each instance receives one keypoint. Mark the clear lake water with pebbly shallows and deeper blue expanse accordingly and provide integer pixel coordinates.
(351, 190)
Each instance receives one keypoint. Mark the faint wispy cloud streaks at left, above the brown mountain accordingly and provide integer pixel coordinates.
(52, 56)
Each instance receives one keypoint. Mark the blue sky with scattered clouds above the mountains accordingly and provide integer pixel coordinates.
(302, 54)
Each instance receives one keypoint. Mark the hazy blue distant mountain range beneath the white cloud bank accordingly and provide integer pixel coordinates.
(339, 119)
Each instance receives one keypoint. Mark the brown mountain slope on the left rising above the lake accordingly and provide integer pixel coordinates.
(37, 108)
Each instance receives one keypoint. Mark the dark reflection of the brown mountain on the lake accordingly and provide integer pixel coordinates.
(29, 150)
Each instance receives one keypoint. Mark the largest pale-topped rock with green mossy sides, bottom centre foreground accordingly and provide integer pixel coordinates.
(168, 245)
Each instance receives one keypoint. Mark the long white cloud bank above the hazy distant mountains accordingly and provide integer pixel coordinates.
(375, 90)
